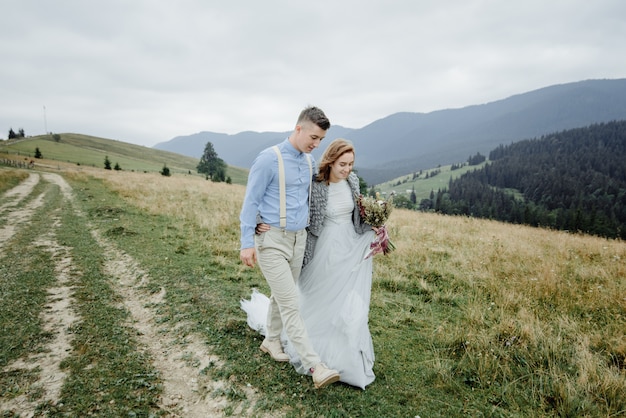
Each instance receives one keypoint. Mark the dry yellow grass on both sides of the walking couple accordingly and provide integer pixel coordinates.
(533, 303)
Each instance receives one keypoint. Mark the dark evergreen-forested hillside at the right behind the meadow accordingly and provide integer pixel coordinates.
(571, 180)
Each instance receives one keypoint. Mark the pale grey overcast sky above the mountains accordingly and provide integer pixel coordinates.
(146, 71)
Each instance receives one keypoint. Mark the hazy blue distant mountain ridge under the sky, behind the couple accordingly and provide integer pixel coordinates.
(405, 142)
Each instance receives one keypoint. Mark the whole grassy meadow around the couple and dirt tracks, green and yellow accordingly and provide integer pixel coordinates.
(469, 317)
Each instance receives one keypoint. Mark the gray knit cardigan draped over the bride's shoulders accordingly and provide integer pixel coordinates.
(317, 208)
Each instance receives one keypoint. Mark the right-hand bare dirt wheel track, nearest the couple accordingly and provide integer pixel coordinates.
(187, 390)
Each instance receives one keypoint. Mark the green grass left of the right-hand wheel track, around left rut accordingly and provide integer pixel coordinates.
(107, 374)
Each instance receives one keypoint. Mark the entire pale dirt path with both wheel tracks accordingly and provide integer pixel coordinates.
(187, 390)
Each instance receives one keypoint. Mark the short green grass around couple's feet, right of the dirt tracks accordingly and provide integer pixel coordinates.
(443, 349)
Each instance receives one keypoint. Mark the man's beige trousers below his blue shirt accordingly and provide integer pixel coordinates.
(280, 255)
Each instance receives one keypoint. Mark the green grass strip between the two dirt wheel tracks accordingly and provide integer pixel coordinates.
(109, 374)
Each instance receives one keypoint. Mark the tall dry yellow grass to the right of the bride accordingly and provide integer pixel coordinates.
(557, 298)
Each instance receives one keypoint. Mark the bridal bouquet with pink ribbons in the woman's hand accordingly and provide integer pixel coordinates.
(375, 211)
